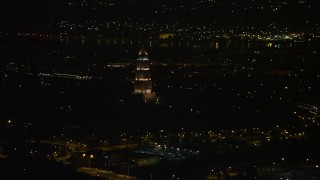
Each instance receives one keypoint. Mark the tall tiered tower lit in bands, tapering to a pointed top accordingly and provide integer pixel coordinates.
(143, 83)
